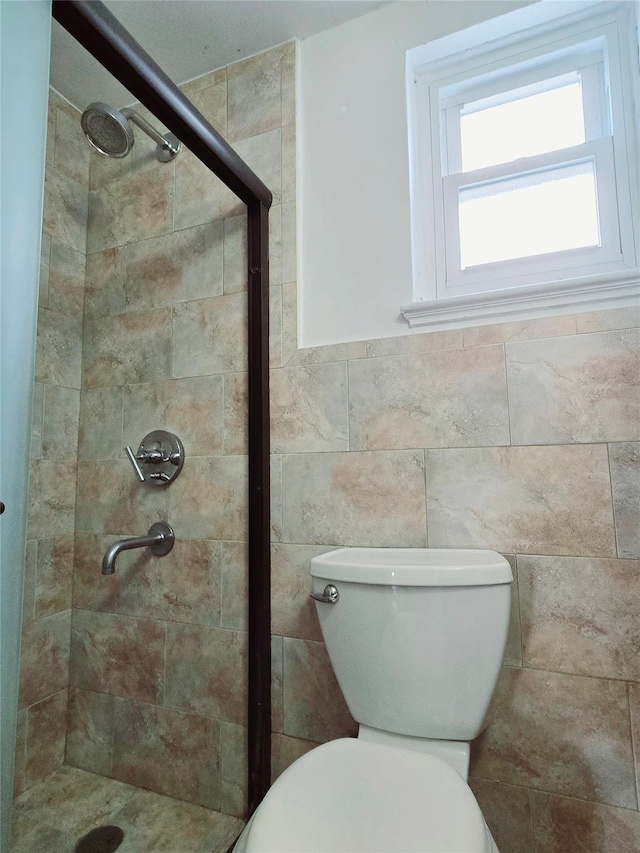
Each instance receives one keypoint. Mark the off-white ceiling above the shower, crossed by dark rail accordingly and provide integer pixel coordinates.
(187, 38)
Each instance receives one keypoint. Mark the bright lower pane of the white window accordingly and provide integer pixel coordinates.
(528, 215)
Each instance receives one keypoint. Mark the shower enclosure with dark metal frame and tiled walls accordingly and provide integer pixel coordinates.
(154, 336)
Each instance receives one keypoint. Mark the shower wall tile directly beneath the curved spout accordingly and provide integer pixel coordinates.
(183, 586)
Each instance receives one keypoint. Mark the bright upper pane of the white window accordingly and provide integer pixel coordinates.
(547, 121)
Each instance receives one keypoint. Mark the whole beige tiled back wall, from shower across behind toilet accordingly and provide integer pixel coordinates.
(521, 437)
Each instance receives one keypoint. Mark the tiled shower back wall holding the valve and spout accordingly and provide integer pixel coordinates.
(158, 651)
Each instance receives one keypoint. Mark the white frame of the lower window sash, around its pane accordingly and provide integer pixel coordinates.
(531, 270)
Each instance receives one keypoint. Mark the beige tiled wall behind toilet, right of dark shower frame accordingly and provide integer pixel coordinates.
(524, 438)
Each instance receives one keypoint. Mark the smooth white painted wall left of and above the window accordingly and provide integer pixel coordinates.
(354, 228)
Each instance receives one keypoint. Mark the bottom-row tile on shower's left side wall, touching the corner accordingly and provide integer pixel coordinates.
(46, 731)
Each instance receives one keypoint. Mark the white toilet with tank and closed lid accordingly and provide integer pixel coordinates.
(416, 638)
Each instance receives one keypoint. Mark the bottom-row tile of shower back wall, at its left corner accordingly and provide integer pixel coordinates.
(90, 731)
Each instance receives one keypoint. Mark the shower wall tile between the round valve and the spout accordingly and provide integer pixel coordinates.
(112, 500)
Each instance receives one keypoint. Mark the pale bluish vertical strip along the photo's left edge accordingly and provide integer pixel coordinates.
(25, 28)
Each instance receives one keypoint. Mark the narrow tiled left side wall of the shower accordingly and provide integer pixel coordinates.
(44, 675)
